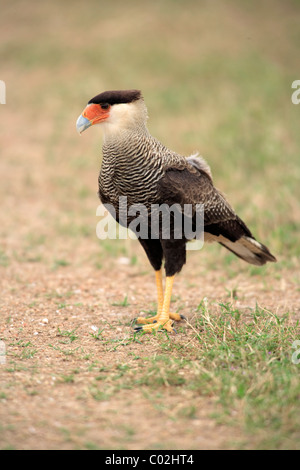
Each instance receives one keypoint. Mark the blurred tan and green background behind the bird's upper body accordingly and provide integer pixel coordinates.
(216, 77)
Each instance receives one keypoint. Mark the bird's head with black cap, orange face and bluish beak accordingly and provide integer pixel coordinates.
(115, 110)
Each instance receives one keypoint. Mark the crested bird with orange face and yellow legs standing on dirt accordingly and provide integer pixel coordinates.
(138, 168)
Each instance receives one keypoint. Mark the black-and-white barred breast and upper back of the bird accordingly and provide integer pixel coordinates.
(132, 165)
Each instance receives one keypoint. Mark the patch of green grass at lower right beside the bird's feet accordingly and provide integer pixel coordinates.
(241, 360)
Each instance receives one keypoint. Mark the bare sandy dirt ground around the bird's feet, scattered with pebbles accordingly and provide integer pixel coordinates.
(48, 399)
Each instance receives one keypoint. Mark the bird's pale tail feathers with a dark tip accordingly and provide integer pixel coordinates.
(249, 250)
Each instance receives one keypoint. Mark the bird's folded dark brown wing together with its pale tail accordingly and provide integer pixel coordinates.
(191, 185)
